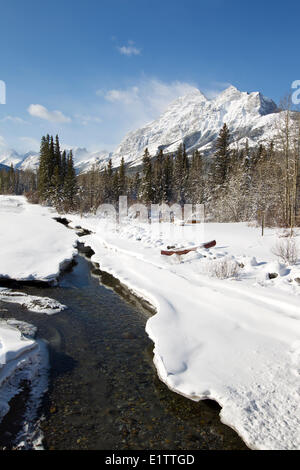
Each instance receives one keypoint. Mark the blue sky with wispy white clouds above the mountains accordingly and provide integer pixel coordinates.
(93, 70)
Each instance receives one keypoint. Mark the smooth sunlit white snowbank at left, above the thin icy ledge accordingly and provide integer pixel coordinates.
(32, 245)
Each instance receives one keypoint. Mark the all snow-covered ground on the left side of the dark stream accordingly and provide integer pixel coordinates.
(32, 247)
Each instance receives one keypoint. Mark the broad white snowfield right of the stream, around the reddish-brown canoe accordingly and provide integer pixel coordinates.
(234, 340)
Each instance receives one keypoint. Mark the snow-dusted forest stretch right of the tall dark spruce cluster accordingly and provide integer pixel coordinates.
(234, 183)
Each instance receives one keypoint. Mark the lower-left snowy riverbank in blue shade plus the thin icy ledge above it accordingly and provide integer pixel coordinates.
(23, 359)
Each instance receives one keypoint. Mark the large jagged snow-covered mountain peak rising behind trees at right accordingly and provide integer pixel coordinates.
(196, 121)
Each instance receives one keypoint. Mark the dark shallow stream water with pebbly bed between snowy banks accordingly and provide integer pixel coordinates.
(104, 392)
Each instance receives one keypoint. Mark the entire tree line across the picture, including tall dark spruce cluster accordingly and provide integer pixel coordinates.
(235, 183)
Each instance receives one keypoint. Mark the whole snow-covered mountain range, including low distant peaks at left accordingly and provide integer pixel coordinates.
(192, 119)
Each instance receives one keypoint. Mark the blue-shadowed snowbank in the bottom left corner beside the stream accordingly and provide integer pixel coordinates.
(22, 359)
